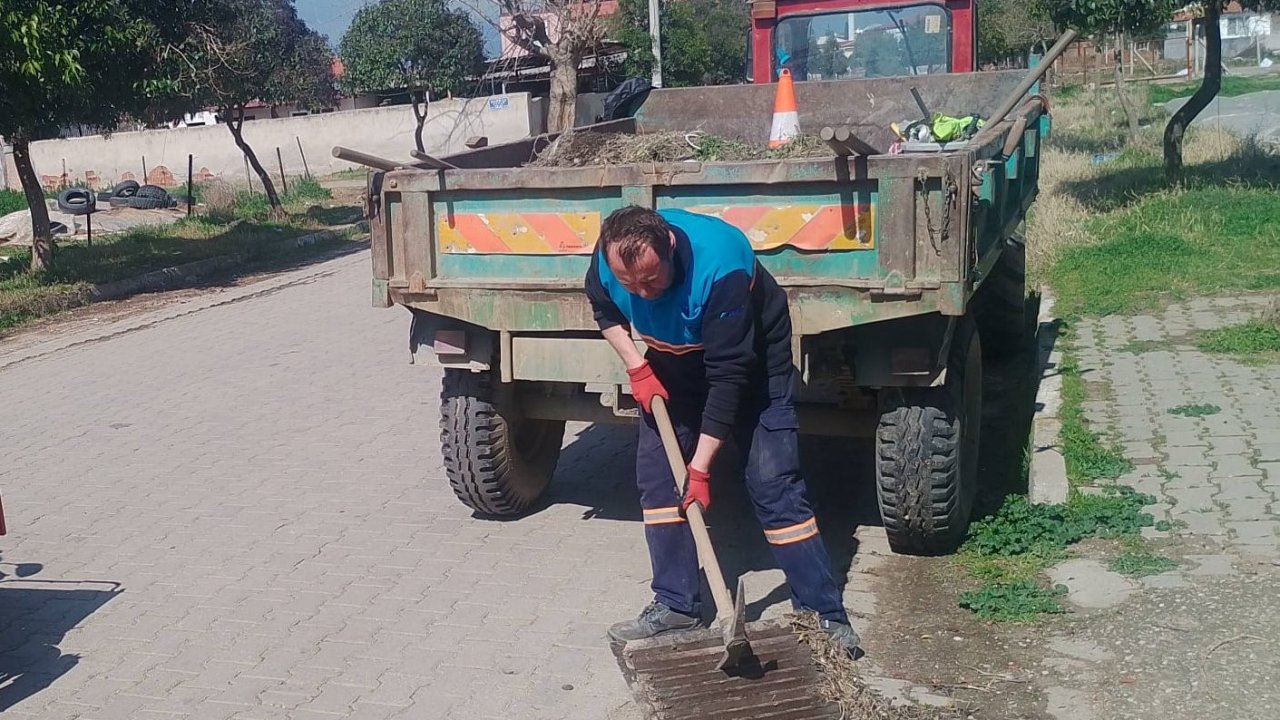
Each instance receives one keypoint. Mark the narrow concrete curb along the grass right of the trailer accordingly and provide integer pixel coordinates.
(1048, 477)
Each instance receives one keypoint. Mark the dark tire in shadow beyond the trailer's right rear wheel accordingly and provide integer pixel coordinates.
(1000, 306)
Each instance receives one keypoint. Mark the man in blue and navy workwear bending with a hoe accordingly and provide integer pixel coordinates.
(720, 354)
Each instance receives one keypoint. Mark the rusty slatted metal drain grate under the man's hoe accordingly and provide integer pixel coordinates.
(675, 678)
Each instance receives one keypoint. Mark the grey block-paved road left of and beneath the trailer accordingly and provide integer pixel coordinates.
(239, 511)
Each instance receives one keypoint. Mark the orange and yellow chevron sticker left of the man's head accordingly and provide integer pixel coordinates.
(519, 234)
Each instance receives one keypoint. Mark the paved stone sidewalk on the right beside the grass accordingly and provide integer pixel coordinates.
(1218, 475)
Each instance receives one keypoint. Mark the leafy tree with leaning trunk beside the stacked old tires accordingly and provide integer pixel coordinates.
(257, 51)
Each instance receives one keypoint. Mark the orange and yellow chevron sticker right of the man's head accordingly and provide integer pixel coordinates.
(804, 227)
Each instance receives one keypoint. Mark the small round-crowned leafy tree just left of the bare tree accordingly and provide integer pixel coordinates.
(423, 47)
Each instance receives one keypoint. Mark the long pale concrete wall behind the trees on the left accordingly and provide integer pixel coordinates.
(388, 133)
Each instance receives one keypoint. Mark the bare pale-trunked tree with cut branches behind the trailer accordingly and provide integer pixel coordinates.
(565, 33)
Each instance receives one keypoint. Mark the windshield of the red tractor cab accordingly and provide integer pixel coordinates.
(900, 42)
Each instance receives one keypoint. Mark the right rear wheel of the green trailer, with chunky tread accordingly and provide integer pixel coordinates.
(927, 454)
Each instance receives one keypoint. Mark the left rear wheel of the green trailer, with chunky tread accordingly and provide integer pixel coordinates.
(499, 463)
